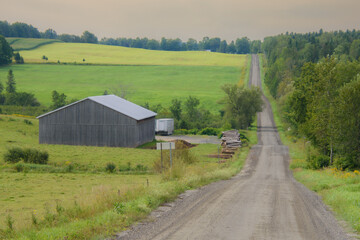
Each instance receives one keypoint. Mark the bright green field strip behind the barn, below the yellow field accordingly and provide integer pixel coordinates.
(153, 84)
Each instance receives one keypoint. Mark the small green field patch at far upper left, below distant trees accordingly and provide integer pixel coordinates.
(19, 44)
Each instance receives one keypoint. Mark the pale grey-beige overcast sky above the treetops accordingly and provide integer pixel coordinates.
(227, 19)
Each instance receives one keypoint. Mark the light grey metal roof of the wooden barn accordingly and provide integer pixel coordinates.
(118, 104)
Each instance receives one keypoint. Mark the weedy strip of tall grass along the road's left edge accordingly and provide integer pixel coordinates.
(136, 204)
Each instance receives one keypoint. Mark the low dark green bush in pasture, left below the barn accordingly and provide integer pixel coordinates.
(28, 155)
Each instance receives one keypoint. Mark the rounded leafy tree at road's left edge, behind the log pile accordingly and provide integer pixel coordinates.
(241, 105)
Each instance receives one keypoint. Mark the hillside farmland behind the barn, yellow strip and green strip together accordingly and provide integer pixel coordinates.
(147, 76)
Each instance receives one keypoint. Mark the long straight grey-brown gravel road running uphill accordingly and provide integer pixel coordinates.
(262, 202)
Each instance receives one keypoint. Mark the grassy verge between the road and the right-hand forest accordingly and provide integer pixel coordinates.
(339, 189)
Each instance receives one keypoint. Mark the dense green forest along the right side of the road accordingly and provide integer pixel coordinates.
(315, 79)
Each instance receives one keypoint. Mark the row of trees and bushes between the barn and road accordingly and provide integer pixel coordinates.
(239, 108)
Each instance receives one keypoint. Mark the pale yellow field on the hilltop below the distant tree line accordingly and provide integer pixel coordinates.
(115, 55)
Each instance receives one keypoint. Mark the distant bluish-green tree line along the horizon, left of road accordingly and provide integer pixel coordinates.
(239, 46)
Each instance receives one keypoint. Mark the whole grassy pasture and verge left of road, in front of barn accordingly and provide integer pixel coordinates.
(86, 201)
